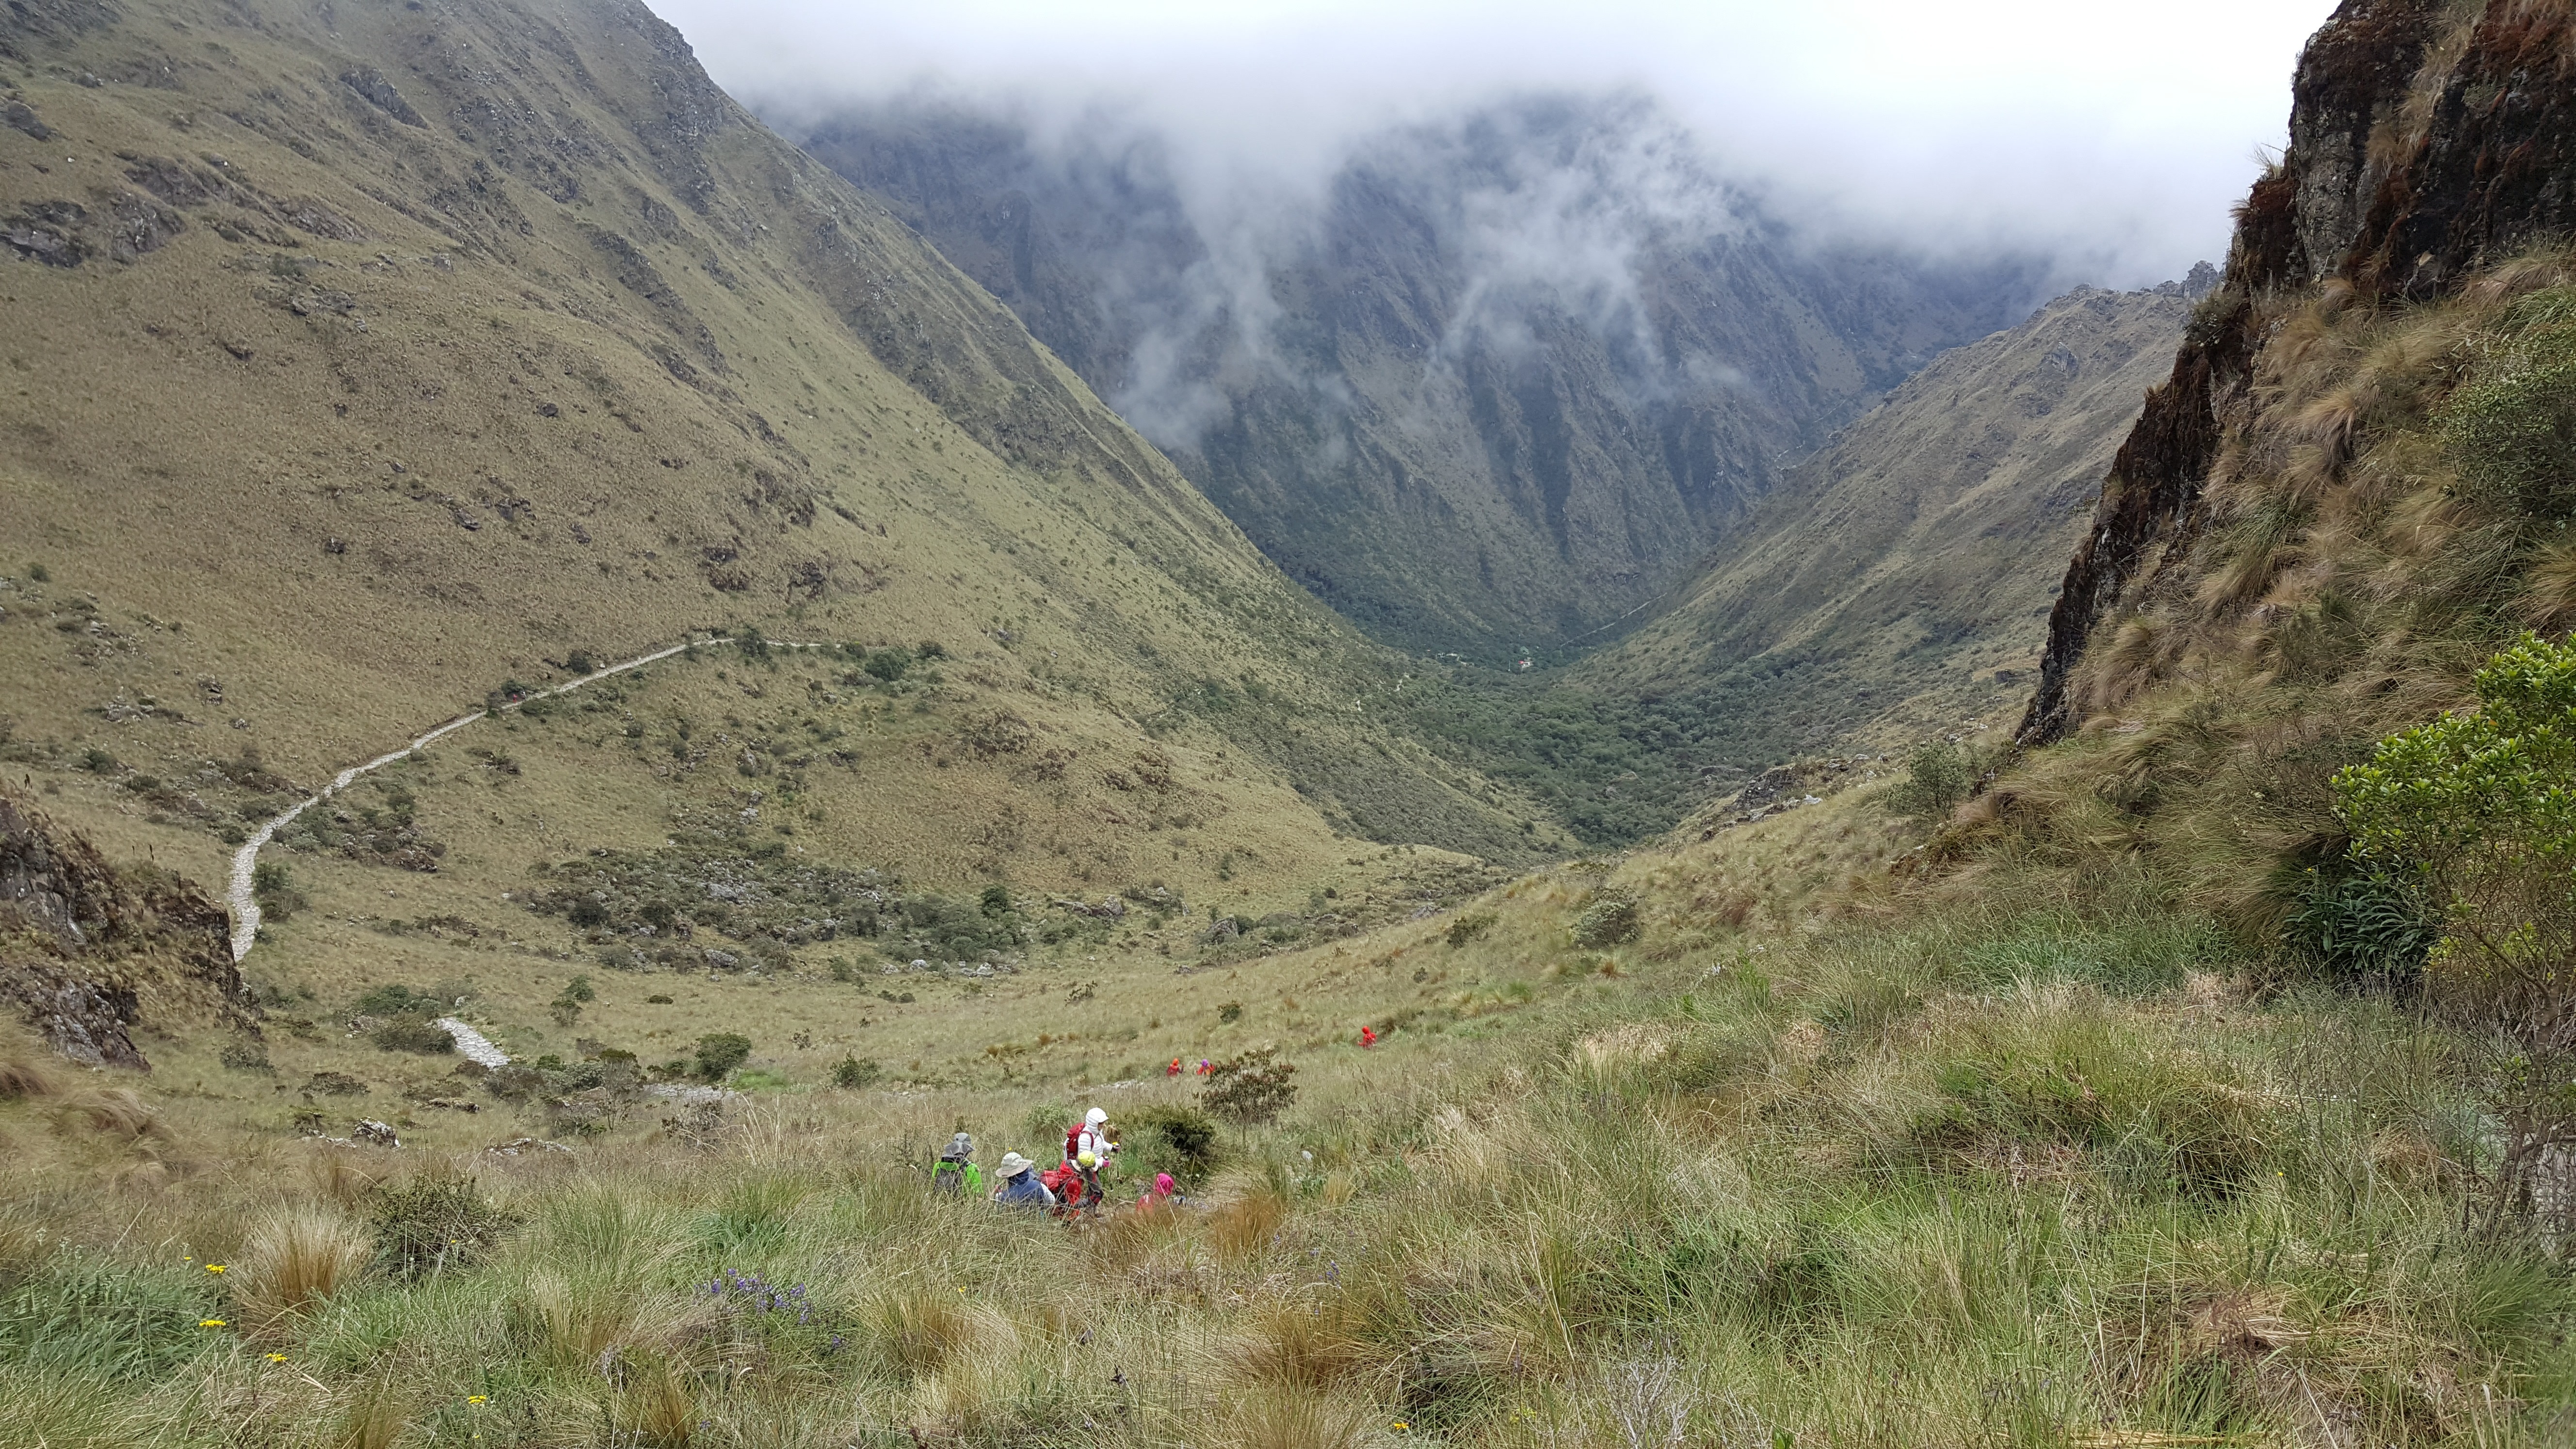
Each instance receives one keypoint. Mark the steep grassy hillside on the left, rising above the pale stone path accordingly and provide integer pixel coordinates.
(370, 362)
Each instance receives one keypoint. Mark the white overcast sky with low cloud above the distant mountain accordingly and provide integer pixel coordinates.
(2111, 135)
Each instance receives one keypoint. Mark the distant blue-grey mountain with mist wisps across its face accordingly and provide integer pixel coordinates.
(1493, 388)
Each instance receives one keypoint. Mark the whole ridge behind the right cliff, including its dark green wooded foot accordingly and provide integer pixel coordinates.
(1879, 597)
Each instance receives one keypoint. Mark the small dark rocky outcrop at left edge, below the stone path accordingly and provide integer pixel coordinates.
(89, 953)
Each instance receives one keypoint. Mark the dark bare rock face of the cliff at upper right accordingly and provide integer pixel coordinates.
(2423, 143)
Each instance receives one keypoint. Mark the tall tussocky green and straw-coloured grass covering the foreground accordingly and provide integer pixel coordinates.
(1995, 1174)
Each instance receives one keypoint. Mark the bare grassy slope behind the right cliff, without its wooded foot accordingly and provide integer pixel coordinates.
(1892, 574)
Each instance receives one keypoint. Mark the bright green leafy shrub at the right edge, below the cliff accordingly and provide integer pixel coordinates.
(2479, 816)
